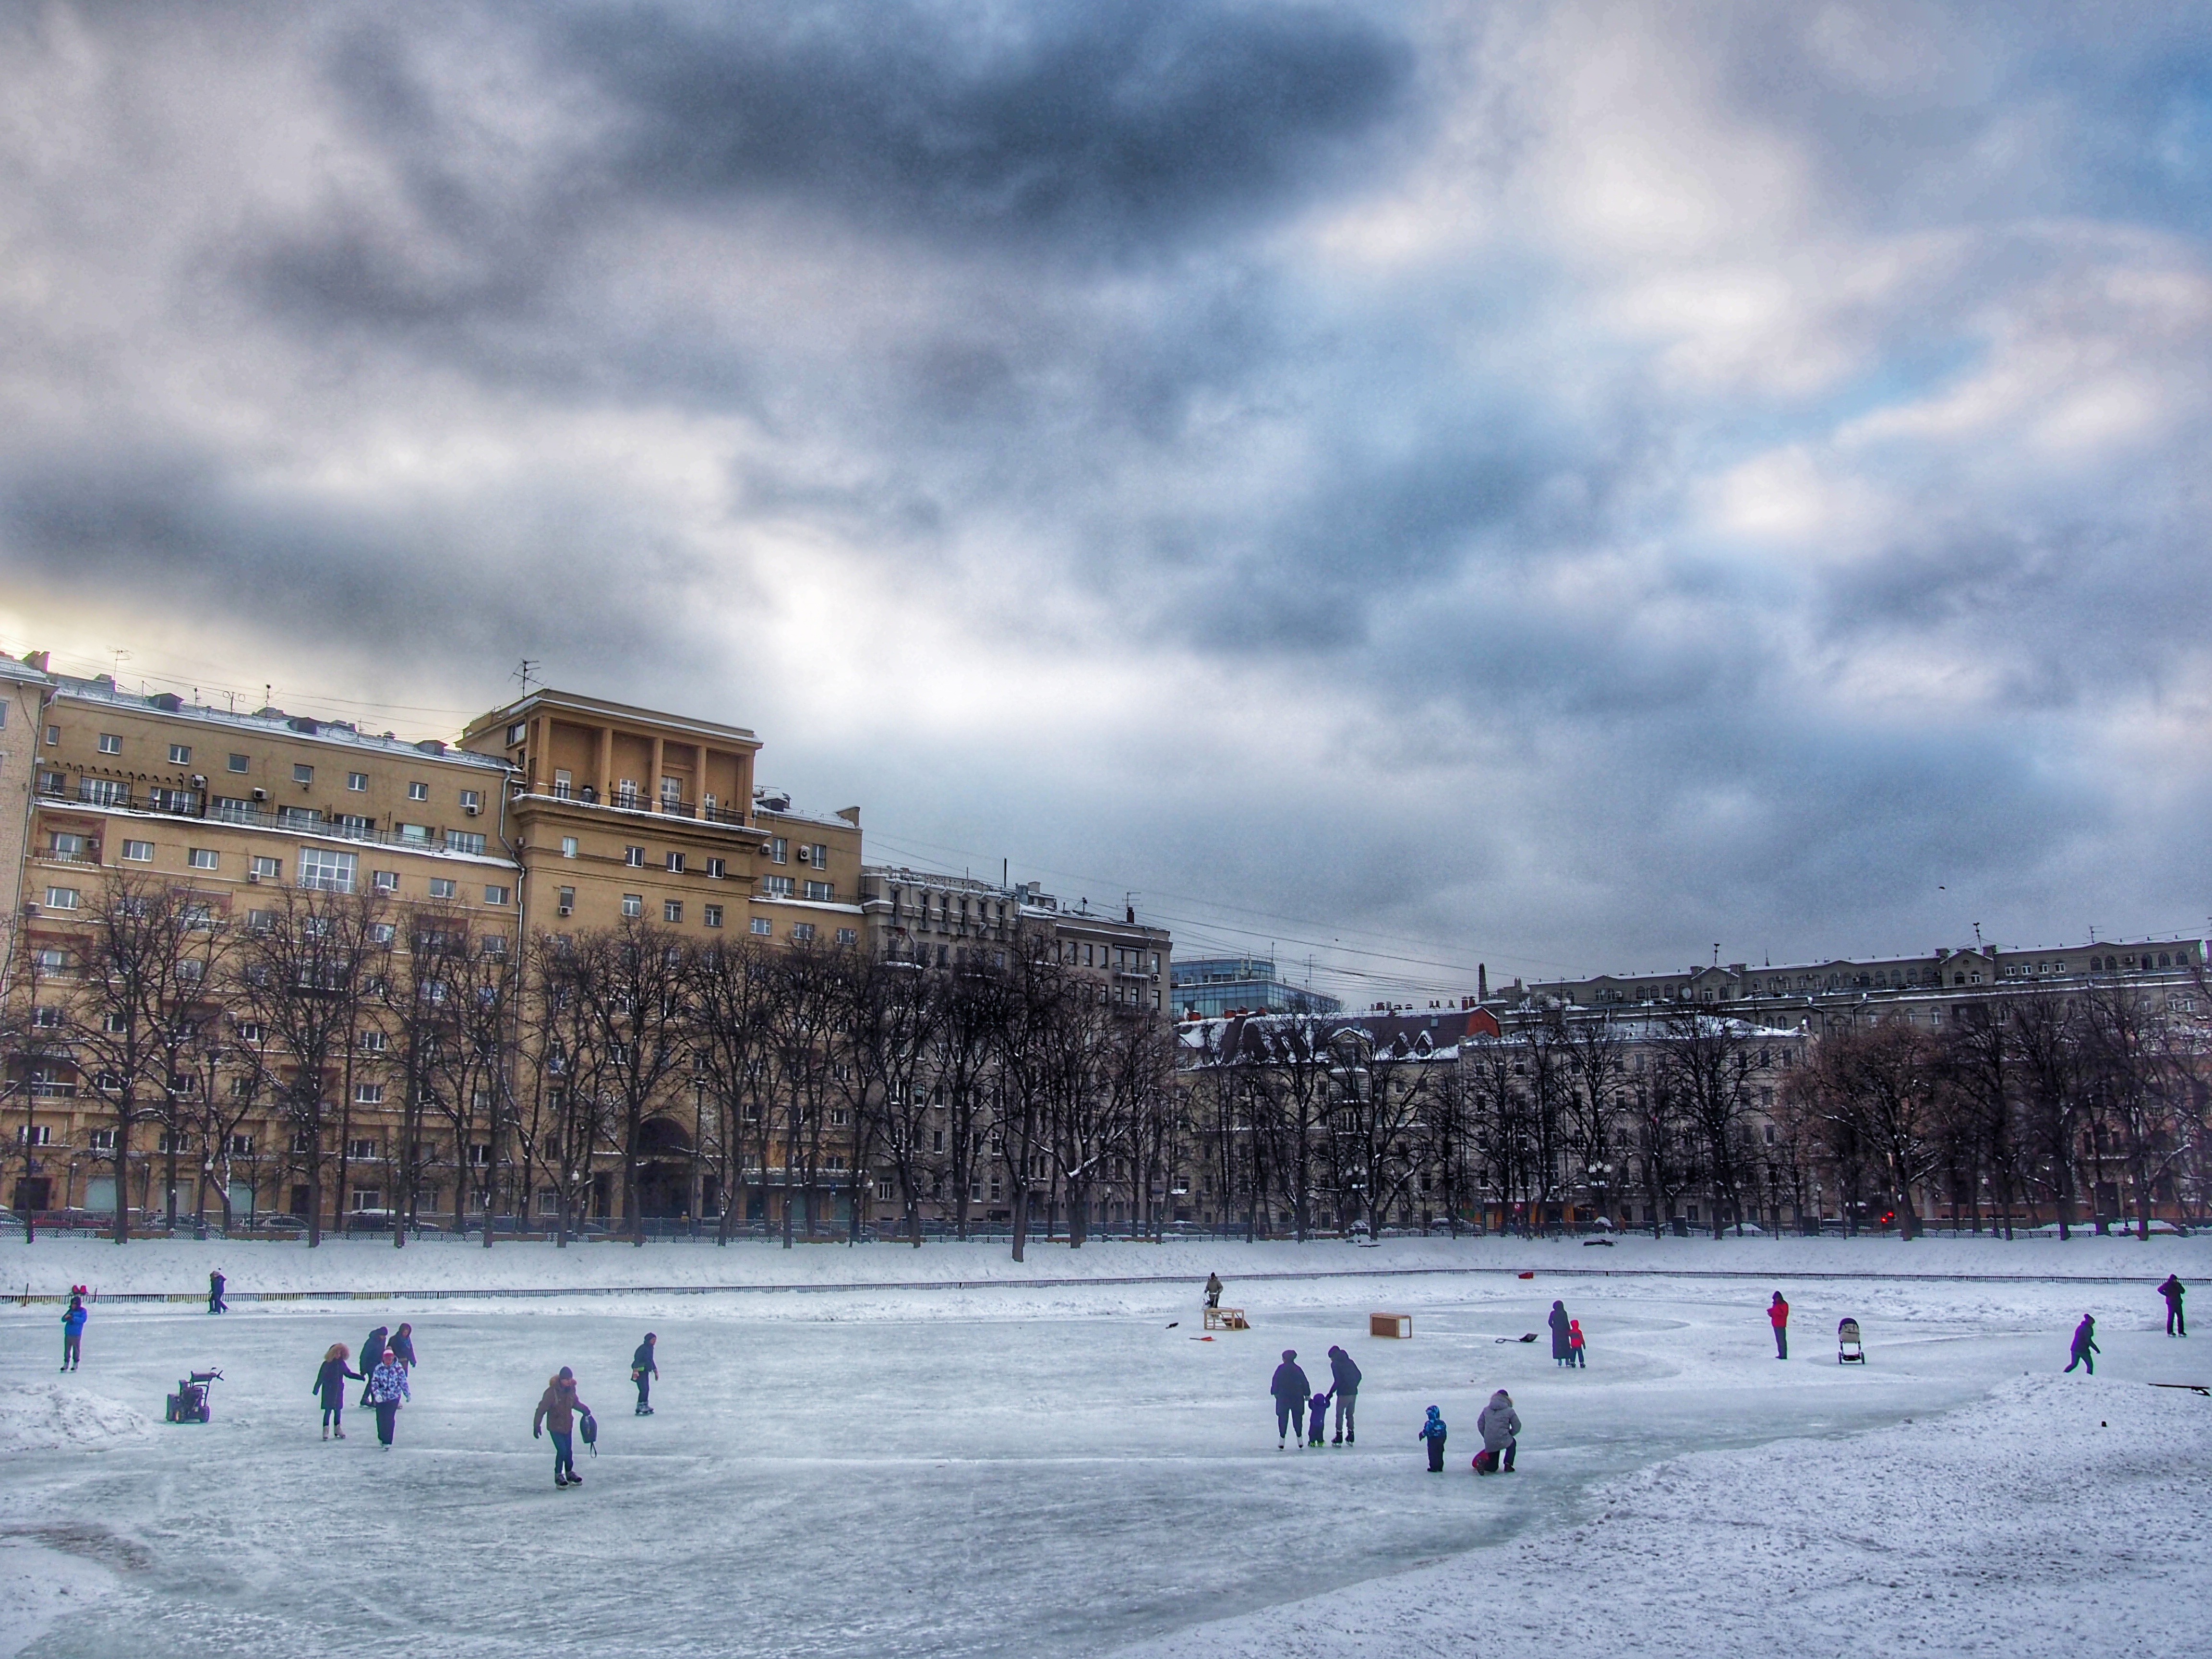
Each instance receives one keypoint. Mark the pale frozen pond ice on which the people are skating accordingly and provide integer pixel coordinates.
(895, 1472)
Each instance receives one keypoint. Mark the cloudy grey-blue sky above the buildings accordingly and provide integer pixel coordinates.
(1552, 486)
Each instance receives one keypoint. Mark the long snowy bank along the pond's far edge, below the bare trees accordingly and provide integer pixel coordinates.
(180, 1269)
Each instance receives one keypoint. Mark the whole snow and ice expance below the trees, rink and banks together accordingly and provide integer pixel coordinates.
(1025, 1468)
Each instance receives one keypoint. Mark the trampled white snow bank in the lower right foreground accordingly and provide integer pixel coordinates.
(2058, 1516)
